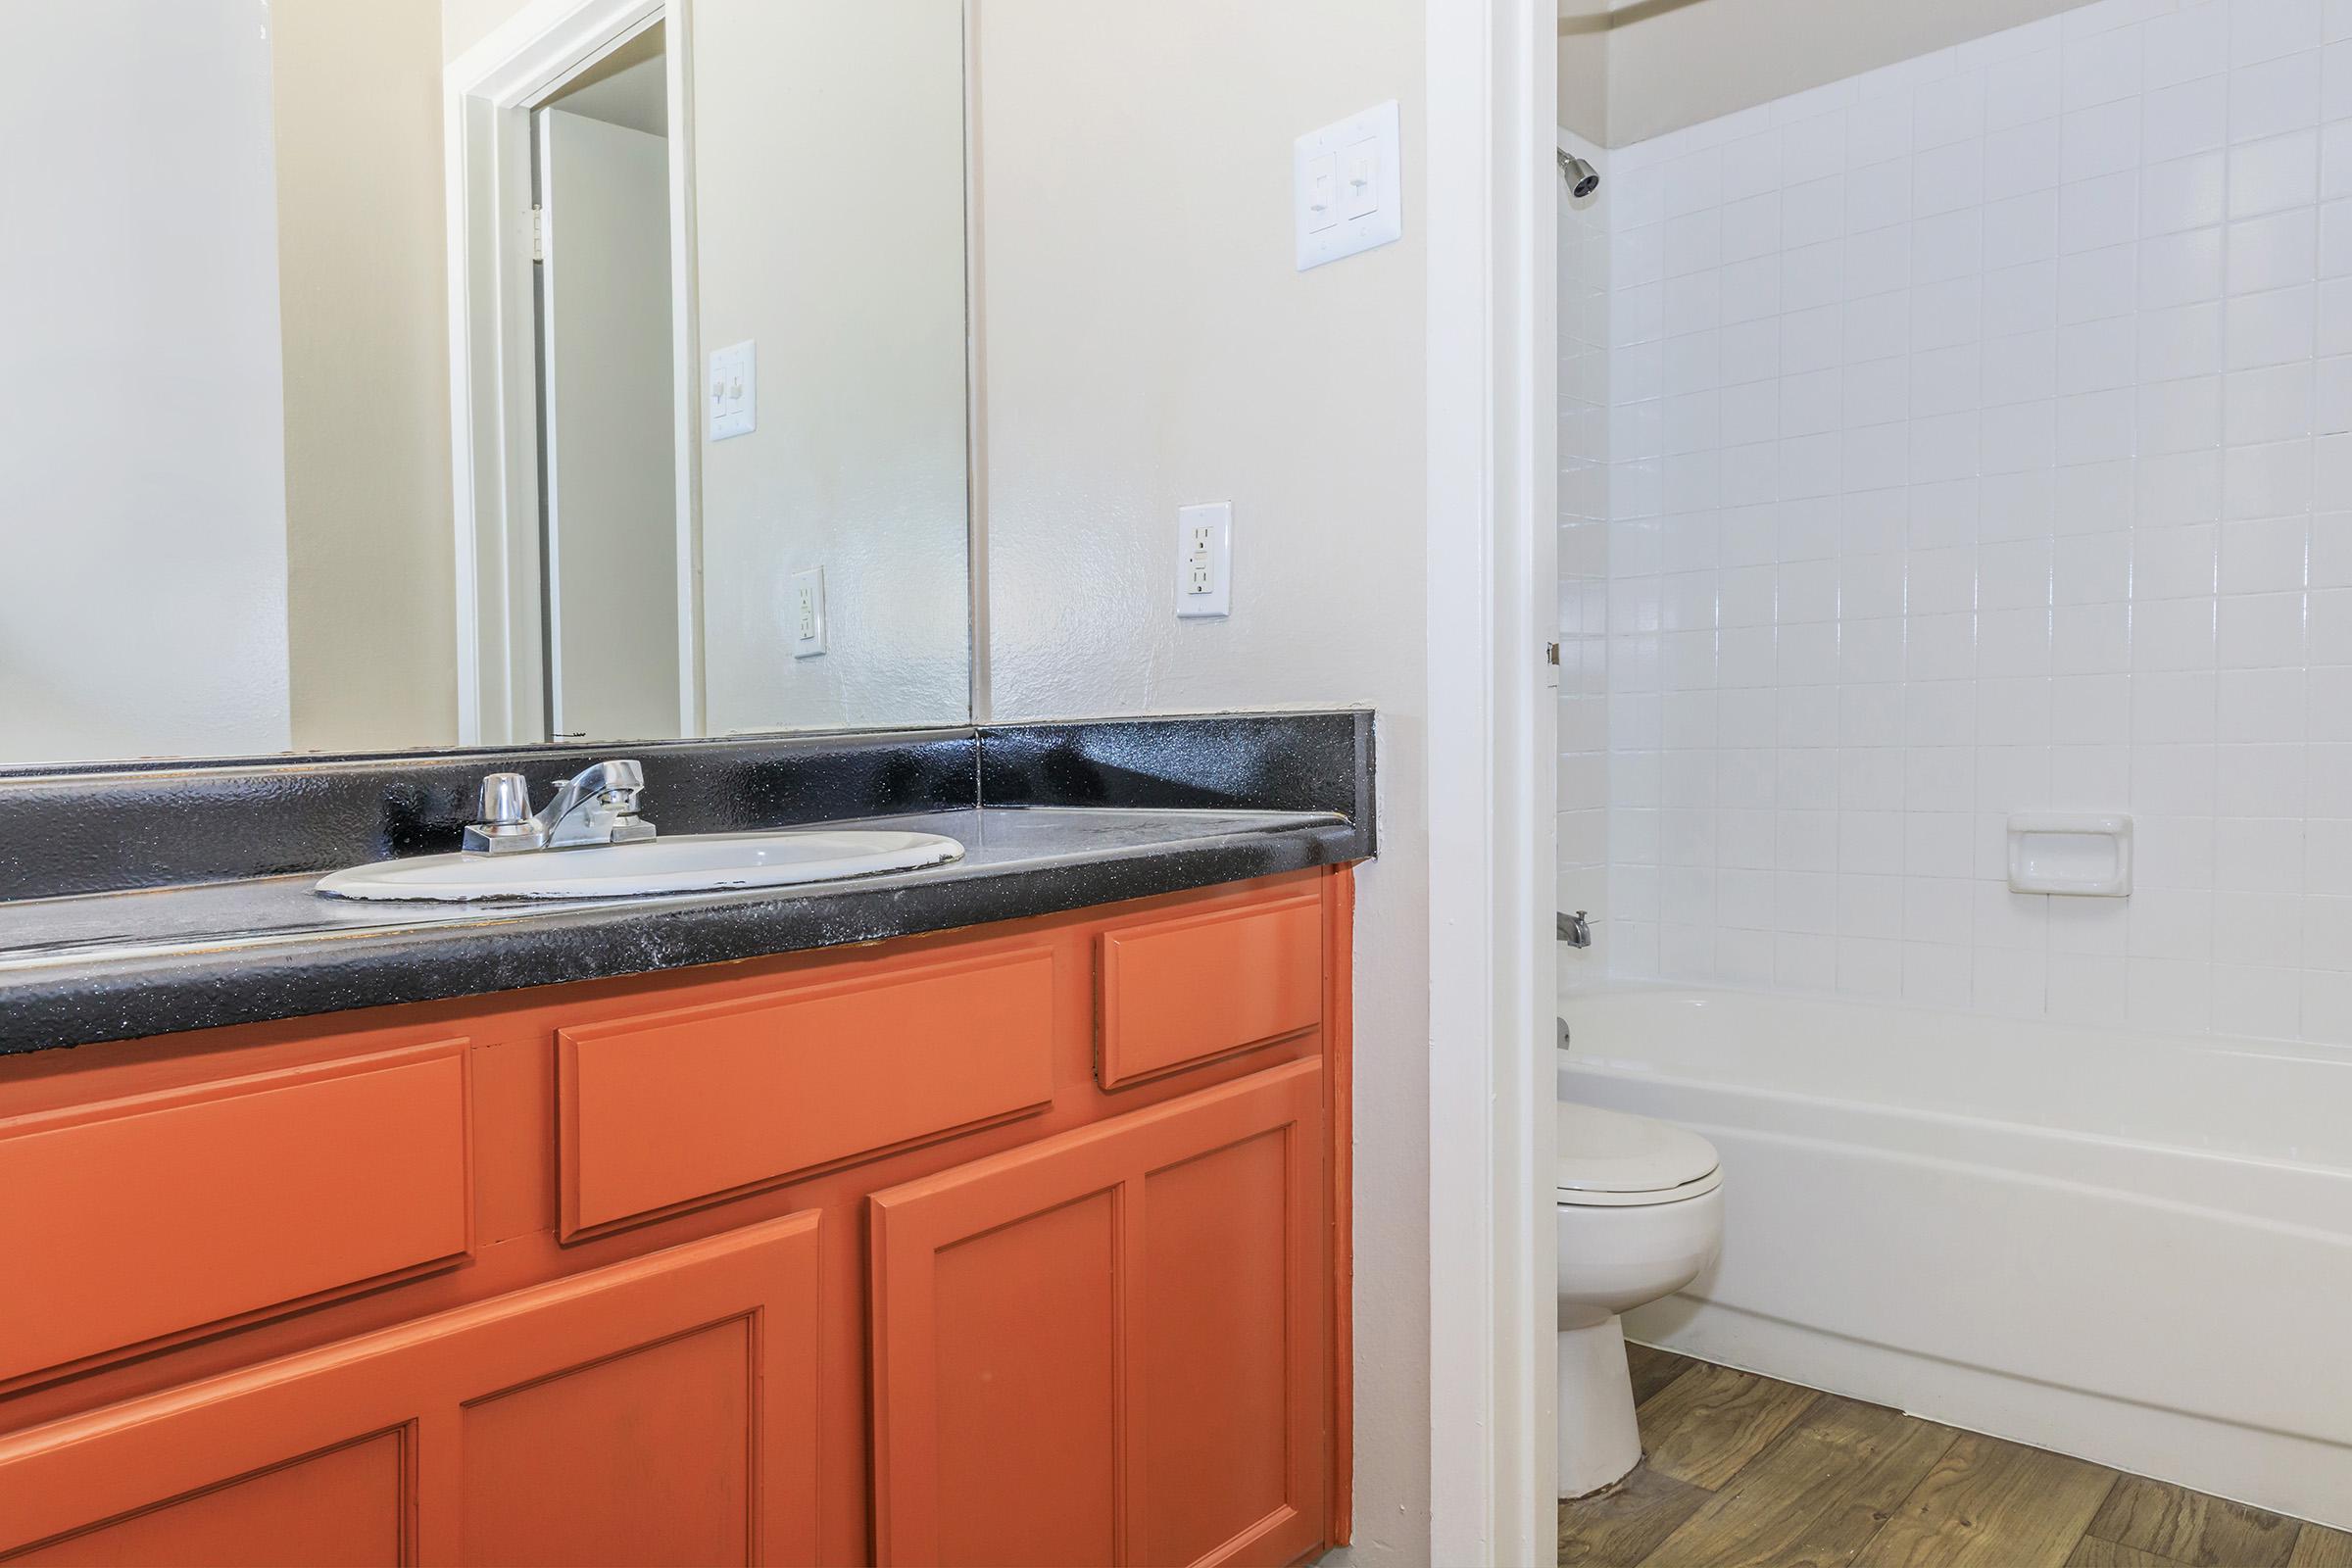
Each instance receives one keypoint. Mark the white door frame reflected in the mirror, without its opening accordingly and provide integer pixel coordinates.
(488, 100)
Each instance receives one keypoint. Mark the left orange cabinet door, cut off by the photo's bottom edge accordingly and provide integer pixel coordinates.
(653, 1412)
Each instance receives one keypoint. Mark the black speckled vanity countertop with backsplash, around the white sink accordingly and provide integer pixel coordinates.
(1090, 815)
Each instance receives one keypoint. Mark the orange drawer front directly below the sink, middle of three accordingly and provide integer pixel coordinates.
(693, 1106)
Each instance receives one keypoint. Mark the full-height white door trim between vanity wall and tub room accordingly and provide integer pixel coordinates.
(1492, 441)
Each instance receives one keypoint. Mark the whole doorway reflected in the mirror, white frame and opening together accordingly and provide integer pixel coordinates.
(573, 377)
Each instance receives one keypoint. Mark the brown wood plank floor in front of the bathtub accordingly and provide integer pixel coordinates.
(1749, 1473)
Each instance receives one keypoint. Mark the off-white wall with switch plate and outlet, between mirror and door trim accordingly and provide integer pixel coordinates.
(1149, 344)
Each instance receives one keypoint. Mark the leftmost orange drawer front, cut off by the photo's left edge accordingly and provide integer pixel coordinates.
(154, 1217)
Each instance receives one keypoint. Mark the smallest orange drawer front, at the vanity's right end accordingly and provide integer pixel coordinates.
(1184, 991)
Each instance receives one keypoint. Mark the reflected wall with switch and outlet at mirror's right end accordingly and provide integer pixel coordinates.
(829, 161)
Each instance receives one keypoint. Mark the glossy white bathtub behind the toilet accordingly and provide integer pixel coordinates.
(2125, 1247)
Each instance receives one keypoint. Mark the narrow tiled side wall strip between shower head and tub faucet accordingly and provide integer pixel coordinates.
(1584, 551)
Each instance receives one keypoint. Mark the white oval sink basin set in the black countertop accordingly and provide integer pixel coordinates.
(690, 864)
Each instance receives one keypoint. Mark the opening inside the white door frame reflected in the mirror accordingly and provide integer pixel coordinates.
(606, 401)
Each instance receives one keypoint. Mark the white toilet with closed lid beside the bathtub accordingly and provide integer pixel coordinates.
(1641, 1217)
